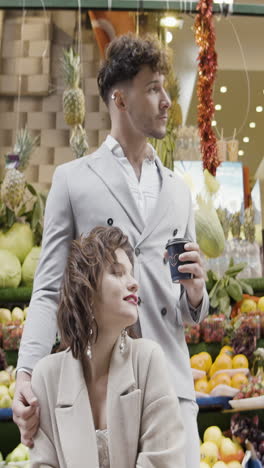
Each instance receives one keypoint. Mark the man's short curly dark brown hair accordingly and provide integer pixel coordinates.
(125, 56)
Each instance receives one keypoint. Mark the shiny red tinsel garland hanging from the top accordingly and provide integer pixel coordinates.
(205, 39)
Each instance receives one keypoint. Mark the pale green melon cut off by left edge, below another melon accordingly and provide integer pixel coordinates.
(10, 270)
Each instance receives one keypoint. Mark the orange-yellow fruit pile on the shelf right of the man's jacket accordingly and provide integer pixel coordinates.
(224, 361)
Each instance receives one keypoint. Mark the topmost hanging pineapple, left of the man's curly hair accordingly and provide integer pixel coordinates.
(73, 97)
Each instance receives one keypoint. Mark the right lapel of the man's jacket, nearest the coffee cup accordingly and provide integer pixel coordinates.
(162, 202)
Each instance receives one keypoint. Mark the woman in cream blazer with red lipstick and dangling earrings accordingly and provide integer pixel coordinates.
(105, 400)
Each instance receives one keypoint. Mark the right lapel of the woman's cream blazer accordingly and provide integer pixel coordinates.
(123, 409)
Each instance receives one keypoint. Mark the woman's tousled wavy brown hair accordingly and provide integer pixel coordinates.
(88, 258)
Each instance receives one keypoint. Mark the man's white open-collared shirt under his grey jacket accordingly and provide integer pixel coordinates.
(146, 190)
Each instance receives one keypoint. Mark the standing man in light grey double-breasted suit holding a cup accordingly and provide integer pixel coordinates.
(124, 184)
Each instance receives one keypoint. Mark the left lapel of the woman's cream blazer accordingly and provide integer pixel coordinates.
(73, 410)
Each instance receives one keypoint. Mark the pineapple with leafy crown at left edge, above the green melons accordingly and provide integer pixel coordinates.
(13, 186)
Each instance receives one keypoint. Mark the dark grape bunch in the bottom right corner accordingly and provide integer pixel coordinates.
(244, 428)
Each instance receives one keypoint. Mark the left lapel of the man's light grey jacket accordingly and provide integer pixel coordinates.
(107, 168)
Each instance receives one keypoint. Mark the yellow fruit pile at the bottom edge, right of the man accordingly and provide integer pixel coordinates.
(218, 451)
